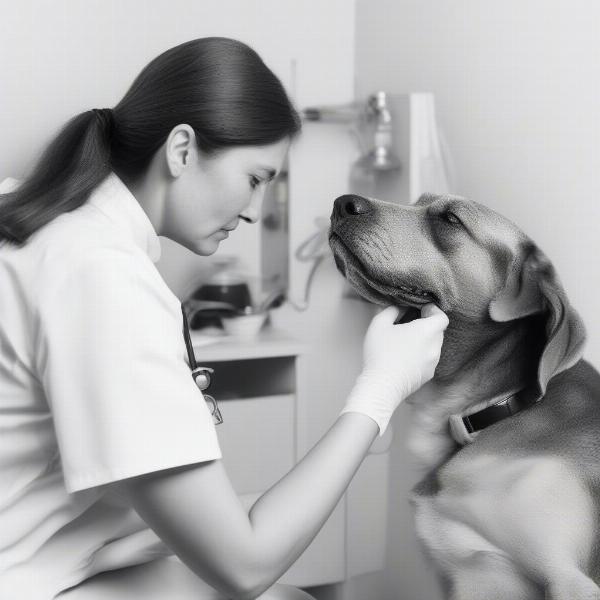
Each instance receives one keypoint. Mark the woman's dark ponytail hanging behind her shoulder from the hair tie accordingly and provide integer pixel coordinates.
(71, 166)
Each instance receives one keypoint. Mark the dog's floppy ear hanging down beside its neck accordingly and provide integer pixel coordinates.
(532, 287)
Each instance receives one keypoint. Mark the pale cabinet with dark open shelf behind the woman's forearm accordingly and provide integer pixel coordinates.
(257, 383)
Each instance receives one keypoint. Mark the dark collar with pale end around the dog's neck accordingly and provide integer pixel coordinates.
(465, 426)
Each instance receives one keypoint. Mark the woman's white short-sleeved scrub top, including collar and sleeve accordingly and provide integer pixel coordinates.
(94, 387)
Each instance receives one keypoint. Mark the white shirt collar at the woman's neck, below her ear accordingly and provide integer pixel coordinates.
(114, 199)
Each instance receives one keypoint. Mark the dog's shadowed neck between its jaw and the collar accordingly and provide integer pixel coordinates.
(479, 361)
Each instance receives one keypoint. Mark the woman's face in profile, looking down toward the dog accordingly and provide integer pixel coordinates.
(210, 195)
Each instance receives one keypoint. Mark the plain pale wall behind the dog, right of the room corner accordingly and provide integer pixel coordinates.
(517, 88)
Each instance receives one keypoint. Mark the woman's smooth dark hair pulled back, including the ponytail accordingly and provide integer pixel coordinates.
(218, 86)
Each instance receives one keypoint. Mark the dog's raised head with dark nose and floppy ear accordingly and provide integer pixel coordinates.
(476, 265)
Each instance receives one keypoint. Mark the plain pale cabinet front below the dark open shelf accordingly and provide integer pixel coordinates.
(257, 440)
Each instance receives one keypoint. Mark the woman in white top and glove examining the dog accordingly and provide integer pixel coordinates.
(109, 462)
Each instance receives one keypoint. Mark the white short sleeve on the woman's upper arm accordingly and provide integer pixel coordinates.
(111, 362)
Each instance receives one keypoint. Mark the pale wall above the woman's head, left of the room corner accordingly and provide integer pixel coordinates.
(66, 56)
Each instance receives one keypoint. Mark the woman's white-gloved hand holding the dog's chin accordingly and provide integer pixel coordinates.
(397, 361)
